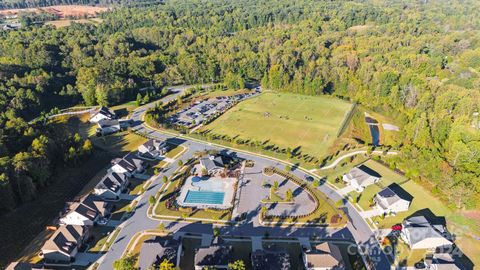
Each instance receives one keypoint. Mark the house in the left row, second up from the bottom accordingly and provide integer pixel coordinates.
(85, 212)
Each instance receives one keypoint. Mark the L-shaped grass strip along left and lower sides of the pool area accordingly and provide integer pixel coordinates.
(165, 207)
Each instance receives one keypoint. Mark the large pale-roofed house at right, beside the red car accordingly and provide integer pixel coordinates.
(419, 233)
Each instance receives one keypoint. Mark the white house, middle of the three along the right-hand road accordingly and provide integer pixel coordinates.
(390, 201)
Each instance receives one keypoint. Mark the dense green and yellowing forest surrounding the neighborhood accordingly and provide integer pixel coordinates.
(416, 61)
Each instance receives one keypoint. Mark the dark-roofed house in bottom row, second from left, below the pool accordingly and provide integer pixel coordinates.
(217, 256)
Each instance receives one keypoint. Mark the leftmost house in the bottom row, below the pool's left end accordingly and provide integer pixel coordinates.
(155, 251)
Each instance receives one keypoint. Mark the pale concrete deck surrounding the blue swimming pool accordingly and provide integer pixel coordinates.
(211, 184)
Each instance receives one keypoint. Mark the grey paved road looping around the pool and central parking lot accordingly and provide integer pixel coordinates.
(357, 229)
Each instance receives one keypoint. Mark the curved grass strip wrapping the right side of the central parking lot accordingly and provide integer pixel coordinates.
(324, 214)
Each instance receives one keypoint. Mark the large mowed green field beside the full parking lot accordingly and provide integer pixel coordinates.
(286, 120)
